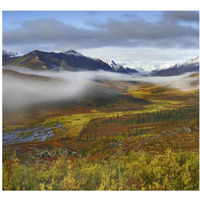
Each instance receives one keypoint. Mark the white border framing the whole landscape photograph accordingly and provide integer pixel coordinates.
(95, 5)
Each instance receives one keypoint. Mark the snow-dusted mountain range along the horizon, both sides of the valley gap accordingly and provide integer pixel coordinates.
(72, 60)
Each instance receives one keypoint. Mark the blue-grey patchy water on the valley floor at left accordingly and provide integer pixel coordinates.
(39, 134)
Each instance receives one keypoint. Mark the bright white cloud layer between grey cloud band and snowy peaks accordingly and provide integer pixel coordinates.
(142, 58)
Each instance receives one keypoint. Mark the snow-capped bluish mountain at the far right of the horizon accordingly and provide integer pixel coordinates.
(174, 69)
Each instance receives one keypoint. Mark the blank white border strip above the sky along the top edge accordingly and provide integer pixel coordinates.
(100, 5)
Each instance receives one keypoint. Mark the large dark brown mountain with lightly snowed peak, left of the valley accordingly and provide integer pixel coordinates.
(70, 60)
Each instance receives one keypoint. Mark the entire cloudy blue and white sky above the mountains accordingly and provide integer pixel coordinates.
(144, 40)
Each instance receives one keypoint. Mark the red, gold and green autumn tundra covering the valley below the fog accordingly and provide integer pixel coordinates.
(145, 138)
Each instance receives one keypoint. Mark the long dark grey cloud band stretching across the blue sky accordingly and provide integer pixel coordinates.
(167, 32)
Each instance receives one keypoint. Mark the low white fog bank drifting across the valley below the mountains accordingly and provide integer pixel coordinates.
(33, 87)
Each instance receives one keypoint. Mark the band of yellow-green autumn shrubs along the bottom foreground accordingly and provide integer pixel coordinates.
(135, 171)
